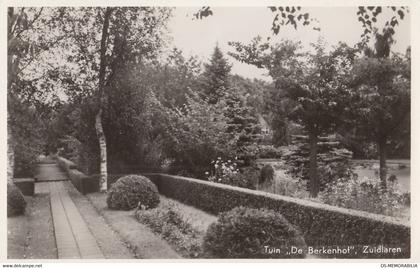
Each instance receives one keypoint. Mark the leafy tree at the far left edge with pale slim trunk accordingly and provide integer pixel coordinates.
(30, 34)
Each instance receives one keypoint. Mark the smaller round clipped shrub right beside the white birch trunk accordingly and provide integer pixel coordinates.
(132, 191)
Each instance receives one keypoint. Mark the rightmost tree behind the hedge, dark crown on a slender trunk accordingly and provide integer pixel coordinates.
(381, 95)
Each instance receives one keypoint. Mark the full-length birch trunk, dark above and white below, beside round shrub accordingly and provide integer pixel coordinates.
(101, 101)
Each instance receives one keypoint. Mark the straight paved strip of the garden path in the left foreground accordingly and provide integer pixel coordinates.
(73, 237)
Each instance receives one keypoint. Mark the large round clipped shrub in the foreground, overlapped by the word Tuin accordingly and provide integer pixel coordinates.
(251, 233)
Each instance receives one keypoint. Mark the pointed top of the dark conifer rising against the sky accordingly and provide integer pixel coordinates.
(216, 76)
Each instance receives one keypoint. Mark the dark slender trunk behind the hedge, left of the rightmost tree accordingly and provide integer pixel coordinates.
(313, 165)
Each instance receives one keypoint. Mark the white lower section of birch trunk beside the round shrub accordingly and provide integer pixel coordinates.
(103, 156)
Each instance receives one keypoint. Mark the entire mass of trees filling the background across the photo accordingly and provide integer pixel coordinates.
(151, 108)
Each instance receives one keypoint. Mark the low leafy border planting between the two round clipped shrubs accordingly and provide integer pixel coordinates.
(171, 226)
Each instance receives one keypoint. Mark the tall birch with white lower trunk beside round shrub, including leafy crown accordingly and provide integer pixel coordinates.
(128, 35)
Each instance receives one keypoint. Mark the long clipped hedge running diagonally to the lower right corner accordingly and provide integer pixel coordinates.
(321, 225)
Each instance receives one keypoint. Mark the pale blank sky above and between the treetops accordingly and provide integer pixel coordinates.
(199, 37)
